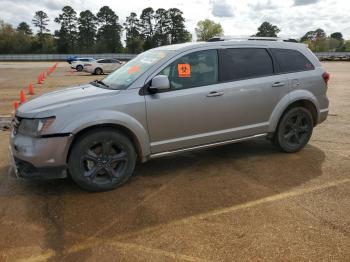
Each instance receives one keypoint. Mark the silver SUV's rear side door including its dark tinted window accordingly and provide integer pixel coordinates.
(253, 89)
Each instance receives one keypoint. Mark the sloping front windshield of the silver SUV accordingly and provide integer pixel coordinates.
(123, 77)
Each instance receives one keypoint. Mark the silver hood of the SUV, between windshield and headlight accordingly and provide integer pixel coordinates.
(62, 98)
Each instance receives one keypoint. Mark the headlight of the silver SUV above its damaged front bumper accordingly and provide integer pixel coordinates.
(35, 127)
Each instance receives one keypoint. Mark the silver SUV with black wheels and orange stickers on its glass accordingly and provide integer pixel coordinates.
(169, 100)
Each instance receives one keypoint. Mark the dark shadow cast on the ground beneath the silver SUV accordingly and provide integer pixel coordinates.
(165, 190)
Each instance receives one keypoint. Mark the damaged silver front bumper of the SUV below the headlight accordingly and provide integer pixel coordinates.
(43, 158)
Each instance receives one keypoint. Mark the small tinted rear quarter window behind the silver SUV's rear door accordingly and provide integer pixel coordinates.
(291, 60)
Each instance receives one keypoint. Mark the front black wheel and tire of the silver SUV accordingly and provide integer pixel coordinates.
(101, 160)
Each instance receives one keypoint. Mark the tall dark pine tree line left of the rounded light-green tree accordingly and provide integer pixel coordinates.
(101, 32)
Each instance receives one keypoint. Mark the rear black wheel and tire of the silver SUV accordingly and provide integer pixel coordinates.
(294, 130)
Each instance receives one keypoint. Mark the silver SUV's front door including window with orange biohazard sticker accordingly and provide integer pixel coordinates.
(189, 112)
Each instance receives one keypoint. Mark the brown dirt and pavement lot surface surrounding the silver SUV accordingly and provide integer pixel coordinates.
(239, 202)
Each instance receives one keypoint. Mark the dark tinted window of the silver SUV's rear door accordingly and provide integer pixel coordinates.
(242, 63)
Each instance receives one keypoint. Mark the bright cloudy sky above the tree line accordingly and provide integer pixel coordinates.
(238, 17)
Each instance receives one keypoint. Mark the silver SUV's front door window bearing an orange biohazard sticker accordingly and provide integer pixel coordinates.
(193, 70)
